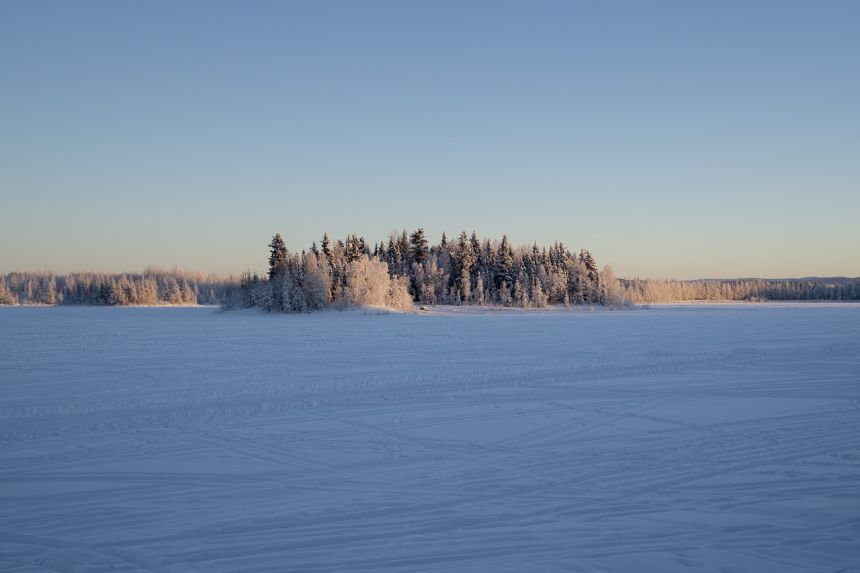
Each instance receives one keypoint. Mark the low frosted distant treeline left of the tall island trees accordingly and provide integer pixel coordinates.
(152, 287)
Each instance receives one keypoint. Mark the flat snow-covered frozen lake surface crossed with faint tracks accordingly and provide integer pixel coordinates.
(687, 438)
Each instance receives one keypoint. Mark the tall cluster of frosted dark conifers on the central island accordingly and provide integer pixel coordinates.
(407, 269)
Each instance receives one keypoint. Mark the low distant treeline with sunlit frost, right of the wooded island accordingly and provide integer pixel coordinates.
(821, 289)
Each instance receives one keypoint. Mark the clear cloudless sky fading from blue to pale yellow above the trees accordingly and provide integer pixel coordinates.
(672, 139)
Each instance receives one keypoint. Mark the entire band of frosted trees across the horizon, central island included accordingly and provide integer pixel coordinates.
(403, 270)
